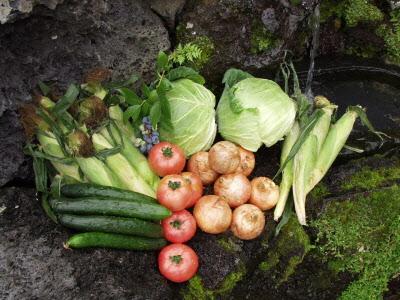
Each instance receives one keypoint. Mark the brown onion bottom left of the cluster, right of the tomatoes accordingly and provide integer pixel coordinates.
(212, 214)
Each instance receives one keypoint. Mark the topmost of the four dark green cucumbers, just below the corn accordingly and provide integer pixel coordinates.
(79, 190)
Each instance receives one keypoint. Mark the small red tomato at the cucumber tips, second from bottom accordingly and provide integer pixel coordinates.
(180, 227)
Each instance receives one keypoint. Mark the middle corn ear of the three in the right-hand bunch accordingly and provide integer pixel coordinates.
(305, 160)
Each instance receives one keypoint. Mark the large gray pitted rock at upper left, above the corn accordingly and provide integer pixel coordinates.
(60, 45)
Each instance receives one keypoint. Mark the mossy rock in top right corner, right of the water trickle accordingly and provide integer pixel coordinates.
(366, 28)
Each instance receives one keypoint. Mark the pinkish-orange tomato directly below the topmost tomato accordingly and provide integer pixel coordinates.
(174, 192)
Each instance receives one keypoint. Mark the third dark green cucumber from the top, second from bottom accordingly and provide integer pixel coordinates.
(130, 226)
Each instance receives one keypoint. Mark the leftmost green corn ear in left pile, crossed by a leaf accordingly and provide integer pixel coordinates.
(51, 147)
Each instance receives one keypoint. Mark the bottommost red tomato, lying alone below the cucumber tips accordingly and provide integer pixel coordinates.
(178, 262)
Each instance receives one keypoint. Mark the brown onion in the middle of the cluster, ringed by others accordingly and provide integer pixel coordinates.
(233, 188)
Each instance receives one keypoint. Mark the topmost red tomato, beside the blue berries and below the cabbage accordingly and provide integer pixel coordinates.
(166, 158)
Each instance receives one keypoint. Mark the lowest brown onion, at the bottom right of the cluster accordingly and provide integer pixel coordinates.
(248, 222)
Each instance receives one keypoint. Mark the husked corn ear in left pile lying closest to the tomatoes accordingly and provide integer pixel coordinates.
(132, 154)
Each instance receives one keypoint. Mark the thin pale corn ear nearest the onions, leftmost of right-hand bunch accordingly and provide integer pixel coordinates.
(287, 173)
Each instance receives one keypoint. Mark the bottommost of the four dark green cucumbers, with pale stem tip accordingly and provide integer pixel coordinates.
(113, 240)
